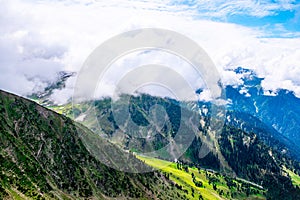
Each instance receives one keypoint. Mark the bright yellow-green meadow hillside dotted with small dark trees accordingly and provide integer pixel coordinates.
(205, 184)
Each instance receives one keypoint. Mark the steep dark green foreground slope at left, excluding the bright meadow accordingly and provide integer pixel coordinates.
(42, 156)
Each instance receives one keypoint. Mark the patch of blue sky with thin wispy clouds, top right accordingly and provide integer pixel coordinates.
(276, 18)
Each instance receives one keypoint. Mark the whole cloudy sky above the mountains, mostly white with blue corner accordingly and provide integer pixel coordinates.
(40, 38)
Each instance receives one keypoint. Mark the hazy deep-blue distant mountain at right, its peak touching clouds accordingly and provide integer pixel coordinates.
(281, 111)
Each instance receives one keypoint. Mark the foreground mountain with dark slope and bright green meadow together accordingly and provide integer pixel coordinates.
(45, 155)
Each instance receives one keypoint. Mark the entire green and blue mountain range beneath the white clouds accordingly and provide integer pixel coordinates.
(60, 152)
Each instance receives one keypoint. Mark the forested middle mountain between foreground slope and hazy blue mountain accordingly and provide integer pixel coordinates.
(246, 147)
